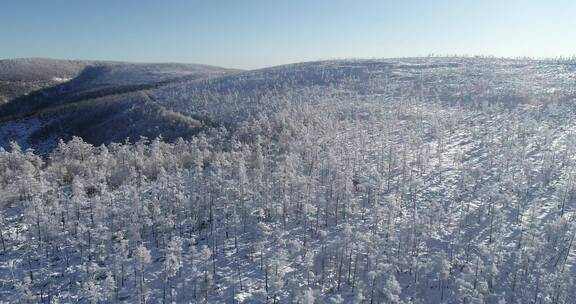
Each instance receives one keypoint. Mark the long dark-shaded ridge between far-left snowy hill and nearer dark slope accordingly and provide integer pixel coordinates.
(101, 78)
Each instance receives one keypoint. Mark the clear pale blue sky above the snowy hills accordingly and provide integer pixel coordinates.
(252, 33)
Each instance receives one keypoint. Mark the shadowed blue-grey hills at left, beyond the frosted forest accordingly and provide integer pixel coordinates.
(103, 103)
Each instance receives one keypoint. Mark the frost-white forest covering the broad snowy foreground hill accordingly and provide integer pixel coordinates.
(447, 180)
